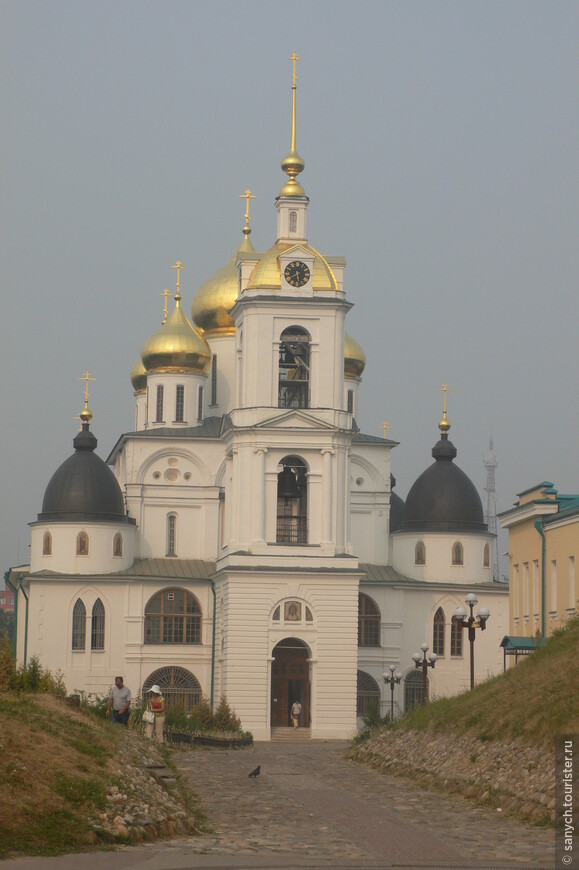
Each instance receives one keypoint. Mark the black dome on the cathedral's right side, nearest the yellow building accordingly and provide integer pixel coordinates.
(443, 499)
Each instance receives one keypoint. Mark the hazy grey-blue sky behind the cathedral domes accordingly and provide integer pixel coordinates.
(440, 141)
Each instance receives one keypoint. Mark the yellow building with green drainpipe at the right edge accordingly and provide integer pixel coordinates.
(543, 547)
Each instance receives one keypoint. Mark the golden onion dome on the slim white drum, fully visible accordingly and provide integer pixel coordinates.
(176, 347)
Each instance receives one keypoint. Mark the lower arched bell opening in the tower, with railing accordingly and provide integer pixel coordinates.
(292, 502)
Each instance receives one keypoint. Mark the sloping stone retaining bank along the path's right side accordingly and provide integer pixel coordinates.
(511, 776)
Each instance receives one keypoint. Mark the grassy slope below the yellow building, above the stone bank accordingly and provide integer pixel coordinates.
(533, 701)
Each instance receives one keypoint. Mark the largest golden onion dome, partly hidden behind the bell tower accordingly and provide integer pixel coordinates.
(216, 296)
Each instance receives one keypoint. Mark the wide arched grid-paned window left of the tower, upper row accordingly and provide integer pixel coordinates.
(173, 616)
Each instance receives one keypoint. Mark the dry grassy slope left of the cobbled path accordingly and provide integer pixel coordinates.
(53, 763)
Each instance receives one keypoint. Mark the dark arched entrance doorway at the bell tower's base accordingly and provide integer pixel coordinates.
(290, 681)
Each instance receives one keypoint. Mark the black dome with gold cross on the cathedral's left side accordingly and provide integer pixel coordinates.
(83, 488)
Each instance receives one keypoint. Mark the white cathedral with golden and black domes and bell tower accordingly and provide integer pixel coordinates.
(244, 539)
